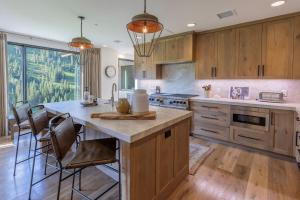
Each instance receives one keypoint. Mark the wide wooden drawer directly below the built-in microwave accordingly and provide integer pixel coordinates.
(257, 139)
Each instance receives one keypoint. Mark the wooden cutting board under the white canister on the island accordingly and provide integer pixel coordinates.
(151, 115)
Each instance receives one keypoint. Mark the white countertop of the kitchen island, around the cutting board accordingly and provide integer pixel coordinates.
(125, 130)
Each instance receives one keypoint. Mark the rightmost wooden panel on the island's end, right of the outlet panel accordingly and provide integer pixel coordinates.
(181, 157)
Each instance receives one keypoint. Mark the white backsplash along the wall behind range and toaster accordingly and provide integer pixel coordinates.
(180, 78)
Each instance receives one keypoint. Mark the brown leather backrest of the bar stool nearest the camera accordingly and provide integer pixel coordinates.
(63, 137)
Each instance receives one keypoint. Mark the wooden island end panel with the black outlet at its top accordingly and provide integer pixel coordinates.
(165, 158)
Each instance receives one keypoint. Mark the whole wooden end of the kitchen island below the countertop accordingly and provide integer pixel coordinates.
(159, 163)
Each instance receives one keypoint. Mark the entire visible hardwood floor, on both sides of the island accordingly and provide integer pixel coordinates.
(228, 173)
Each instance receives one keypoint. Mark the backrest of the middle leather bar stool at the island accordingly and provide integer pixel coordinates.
(38, 119)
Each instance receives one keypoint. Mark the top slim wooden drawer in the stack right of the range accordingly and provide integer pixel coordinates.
(210, 107)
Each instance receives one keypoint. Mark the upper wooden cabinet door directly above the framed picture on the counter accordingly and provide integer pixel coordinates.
(249, 41)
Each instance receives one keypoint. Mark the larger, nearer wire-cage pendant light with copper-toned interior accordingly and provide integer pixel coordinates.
(144, 29)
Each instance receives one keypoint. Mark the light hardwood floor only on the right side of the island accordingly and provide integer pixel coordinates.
(236, 174)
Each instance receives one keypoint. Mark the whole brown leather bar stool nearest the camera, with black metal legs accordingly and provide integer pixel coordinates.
(88, 153)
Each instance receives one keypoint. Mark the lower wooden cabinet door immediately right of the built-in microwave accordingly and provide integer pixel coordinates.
(282, 123)
